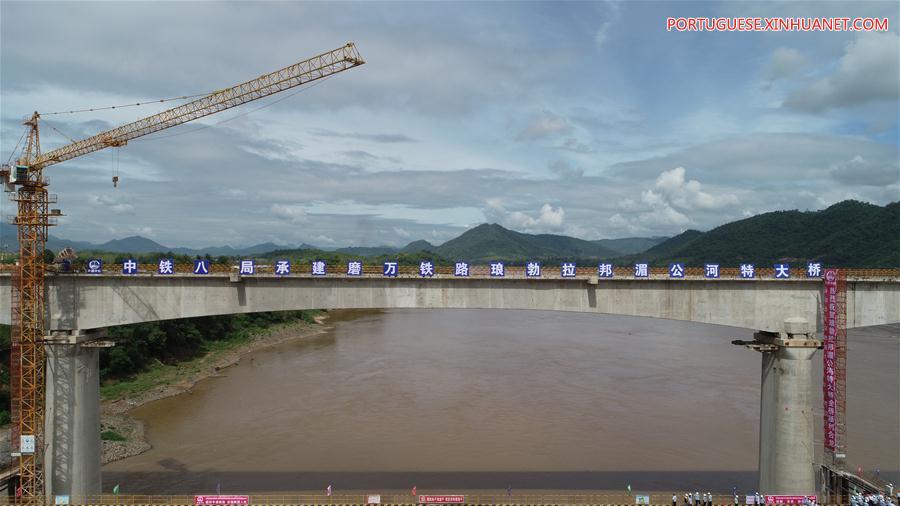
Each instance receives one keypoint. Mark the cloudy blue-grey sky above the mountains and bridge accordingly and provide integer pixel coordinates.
(587, 119)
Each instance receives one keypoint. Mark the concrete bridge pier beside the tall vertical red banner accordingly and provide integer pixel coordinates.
(786, 448)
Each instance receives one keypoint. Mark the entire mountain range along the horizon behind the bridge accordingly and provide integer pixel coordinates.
(849, 233)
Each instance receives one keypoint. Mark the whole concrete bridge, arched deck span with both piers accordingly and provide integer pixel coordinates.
(786, 314)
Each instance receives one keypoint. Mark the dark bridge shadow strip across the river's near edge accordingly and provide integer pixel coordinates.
(182, 481)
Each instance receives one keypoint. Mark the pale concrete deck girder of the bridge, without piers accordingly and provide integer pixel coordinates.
(86, 302)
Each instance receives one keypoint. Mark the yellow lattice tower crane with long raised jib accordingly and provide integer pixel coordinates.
(35, 216)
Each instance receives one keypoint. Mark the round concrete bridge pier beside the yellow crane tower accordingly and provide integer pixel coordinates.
(72, 416)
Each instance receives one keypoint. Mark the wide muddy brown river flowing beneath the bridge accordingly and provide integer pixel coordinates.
(475, 399)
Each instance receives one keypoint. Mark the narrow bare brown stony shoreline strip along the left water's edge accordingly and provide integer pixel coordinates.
(114, 413)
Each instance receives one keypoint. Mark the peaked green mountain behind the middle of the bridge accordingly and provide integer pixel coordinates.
(493, 242)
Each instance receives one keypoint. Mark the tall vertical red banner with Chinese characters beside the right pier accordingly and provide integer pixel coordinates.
(829, 385)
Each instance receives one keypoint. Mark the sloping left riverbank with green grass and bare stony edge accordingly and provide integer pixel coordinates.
(124, 436)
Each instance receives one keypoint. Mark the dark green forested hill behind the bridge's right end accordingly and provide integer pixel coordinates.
(849, 233)
